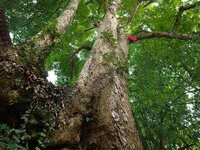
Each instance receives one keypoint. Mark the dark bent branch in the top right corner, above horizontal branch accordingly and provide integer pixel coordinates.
(180, 12)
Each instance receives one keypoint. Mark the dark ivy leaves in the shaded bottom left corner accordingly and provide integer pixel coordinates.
(19, 138)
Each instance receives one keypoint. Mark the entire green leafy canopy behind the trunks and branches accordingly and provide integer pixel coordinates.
(163, 74)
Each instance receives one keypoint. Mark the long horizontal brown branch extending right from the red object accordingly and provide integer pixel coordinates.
(167, 35)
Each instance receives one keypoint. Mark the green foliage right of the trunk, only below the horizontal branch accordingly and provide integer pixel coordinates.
(159, 87)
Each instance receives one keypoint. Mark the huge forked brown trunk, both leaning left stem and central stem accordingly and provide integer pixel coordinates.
(95, 113)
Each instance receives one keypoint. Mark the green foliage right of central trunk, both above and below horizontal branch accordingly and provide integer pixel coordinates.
(162, 90)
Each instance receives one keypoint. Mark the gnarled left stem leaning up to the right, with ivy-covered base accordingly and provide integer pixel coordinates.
(23, 83)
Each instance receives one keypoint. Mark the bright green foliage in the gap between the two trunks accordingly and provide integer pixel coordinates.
(60, 59)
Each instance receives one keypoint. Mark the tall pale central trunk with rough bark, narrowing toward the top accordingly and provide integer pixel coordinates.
(110, 125)
